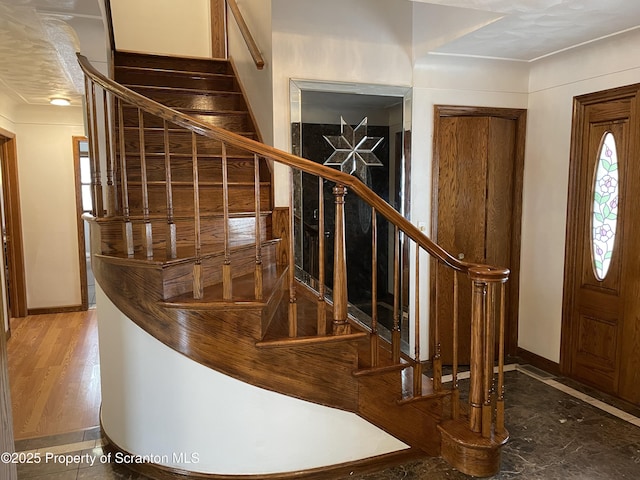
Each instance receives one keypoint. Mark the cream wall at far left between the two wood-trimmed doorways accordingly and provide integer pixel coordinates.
(47, 200)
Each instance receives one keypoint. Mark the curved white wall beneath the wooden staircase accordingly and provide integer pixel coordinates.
(157, 402)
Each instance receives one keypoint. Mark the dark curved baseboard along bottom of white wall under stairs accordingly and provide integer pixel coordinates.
(360, 467)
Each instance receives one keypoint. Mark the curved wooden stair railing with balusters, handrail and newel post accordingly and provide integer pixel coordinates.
(132, 207)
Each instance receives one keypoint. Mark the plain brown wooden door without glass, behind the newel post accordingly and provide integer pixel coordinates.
(477, 172)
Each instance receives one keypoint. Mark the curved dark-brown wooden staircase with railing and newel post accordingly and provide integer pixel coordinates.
(187, 243)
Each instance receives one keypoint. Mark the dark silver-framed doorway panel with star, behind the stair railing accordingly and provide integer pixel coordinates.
(324, 116)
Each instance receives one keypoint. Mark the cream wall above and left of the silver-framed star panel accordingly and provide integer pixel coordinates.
(362, 41)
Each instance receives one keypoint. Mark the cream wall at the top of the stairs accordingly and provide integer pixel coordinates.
(163, 27)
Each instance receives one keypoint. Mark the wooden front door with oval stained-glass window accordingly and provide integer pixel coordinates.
(601, 320)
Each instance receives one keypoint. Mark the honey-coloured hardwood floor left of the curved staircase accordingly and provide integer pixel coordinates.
(54, 373)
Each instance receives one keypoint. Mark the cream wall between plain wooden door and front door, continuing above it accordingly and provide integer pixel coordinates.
(554, 82)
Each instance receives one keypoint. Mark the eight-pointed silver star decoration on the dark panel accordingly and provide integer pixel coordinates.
(353, 149)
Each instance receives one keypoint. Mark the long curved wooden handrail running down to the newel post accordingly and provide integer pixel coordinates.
(353, 184)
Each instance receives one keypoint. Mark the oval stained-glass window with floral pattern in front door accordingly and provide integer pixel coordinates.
(604, 218)
